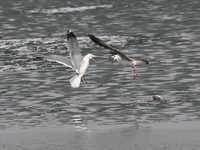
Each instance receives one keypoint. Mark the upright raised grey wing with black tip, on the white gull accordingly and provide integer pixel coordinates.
(74, 50)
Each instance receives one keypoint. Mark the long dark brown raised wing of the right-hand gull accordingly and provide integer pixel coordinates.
(103, 44)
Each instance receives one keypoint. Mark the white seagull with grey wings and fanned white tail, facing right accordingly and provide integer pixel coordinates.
(77, 62)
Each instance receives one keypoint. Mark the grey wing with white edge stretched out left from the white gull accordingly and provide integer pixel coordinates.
(60, 59)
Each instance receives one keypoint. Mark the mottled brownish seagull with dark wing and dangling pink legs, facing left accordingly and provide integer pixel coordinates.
(119, 56)
